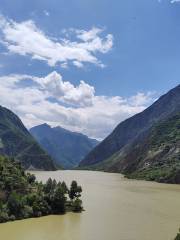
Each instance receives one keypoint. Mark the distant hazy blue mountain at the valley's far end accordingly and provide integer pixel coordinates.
(65, 147)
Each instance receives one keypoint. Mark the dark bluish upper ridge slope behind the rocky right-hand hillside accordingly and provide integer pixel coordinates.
(134, 127)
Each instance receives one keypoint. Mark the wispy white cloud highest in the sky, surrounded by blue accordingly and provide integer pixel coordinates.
(25, 38)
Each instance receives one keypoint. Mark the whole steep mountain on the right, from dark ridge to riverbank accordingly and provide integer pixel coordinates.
(131, 148)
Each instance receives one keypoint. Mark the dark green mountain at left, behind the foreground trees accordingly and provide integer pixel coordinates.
(17, 142)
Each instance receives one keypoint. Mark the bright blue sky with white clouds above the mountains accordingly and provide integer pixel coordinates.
(87, 65)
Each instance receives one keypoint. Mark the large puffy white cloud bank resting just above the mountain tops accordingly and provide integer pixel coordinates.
(52, 100)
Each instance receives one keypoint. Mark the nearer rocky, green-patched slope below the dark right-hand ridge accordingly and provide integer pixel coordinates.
(154, 155)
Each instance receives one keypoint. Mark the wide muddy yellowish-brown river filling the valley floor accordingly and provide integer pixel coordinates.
(115, 209)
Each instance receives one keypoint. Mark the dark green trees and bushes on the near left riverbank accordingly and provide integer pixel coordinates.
(21, 196)
